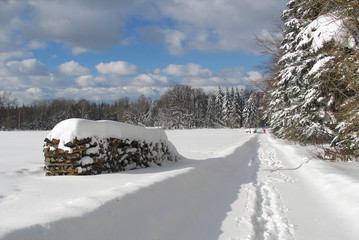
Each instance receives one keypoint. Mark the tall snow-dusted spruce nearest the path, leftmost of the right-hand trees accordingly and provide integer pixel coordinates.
(298, 109)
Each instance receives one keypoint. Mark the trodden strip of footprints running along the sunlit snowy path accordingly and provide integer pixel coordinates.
(264, 214)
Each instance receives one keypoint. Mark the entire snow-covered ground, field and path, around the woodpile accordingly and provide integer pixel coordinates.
(229, 185)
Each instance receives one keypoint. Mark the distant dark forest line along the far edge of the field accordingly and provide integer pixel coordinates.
(179, 107)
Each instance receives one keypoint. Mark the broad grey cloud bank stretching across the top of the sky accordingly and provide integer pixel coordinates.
(181, 25)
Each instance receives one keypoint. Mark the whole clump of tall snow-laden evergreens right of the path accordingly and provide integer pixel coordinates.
(313, 89)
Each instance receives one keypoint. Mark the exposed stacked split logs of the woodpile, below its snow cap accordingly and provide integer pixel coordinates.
(91, 155)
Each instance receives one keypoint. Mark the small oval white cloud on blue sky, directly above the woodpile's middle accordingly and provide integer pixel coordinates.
(117, 68)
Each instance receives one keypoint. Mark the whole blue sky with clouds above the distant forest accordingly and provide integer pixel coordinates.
(108, 49)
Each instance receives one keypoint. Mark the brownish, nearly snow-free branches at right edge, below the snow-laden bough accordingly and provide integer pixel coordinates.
(342, 79)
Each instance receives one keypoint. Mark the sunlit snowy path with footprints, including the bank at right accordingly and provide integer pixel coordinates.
(290, 199)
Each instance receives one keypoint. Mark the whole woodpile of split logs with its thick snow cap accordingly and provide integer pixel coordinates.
(83, 147)
